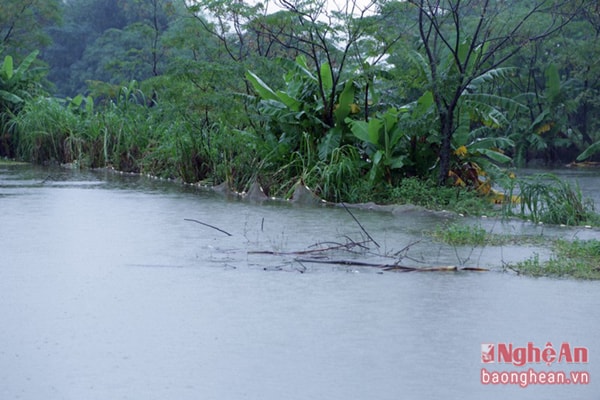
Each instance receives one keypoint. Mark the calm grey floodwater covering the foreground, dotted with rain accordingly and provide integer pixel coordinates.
(108, 292)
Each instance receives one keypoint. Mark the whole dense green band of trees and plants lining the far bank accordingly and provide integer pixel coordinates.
(327, 92)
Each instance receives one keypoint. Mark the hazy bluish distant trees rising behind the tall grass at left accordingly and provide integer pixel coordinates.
(115, 41)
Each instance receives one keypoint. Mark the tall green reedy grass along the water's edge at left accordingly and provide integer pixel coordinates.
(132, 136)
